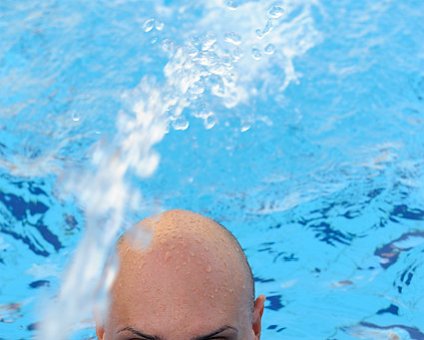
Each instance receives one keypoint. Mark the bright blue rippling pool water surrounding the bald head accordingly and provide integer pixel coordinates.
(316, 165)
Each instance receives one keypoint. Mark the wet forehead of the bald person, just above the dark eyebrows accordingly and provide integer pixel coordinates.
(170, 286)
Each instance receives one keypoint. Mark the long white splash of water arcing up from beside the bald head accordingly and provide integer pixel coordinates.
(215, 64)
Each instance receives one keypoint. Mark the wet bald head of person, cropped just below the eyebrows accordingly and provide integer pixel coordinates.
(192, 281)
